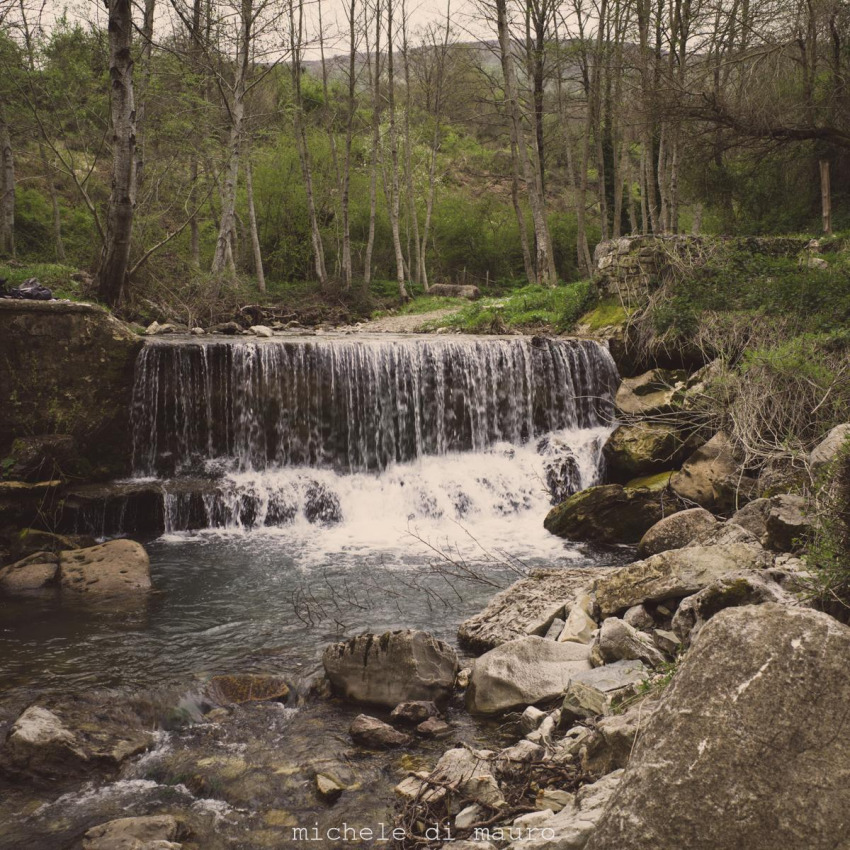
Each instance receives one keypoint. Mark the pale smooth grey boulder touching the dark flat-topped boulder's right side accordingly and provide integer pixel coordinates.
(522, 672)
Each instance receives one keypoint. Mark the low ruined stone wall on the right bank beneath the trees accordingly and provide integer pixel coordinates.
(629, 268)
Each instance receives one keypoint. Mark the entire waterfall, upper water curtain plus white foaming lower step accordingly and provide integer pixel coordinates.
(346, 431)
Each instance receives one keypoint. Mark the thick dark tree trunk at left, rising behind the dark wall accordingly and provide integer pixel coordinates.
(122, 200)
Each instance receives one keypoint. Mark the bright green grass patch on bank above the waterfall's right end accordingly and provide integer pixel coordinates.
(530, 308)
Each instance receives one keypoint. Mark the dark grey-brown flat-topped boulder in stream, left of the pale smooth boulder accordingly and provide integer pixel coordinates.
(391, 668)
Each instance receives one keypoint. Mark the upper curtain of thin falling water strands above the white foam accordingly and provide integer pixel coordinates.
(357, 405)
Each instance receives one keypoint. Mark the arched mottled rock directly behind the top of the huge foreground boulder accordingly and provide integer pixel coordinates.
(734, 589)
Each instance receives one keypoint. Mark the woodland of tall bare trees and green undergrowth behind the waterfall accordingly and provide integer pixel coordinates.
(350, 144)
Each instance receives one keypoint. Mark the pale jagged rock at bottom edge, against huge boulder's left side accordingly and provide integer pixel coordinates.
(571, 828)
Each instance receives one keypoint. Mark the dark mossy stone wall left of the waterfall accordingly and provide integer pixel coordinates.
(67, 369)
